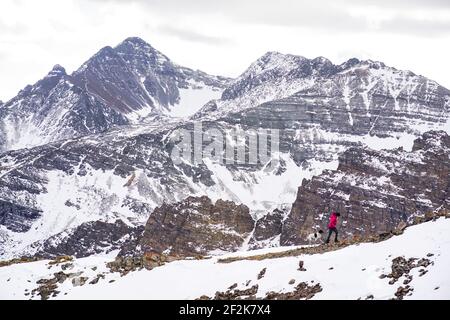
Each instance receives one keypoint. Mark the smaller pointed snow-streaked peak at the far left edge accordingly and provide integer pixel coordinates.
(53, 109)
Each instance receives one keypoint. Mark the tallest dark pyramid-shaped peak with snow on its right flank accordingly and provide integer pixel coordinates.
(136, 78)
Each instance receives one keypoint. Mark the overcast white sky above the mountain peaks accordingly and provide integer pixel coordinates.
(223, 36)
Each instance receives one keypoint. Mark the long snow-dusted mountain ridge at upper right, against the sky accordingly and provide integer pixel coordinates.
(361, 88)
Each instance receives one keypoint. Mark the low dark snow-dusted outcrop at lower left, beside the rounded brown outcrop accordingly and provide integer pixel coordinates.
(90, 238)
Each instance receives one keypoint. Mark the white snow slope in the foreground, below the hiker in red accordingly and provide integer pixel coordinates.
(349, 273)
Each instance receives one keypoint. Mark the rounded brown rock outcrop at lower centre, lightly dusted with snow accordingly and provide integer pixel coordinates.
(197, 226)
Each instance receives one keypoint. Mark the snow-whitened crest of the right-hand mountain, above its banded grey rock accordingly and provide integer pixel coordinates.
(275, 76)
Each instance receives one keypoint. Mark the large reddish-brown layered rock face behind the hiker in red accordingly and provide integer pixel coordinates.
(374, 191)
